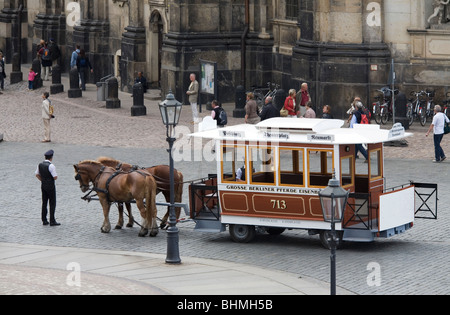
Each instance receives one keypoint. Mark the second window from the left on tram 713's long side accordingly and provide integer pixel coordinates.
(262, 165)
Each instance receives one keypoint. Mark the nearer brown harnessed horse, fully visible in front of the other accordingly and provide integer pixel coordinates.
(116, 186)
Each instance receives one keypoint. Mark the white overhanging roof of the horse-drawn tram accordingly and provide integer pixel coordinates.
(303, 130)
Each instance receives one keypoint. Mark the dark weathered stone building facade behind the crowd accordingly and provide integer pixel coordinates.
(341, 48)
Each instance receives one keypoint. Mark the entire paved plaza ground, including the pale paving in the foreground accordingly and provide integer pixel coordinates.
(416, 262)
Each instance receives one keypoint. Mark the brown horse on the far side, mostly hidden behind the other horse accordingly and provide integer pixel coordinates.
(161, 173)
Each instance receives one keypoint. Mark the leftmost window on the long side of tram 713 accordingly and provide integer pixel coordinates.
(233, 158)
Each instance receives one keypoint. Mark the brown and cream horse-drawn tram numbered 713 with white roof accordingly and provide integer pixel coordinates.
(269, 176)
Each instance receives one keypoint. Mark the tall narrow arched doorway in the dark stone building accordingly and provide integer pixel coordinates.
(155, 49)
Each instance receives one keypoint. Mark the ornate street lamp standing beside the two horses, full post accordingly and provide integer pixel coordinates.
(170, 110)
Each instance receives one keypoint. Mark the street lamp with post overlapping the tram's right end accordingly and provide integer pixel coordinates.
(333, 200)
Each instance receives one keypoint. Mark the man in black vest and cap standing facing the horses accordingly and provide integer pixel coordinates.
(46, 174)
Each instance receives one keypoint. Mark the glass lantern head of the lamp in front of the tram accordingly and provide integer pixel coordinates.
(333, 200)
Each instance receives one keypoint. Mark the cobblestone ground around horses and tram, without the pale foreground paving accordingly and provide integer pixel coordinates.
(416, 262)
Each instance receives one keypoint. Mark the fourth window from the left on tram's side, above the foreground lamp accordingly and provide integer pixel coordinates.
(320, 167)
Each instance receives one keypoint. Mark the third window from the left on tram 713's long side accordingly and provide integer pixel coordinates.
(291, 167)
